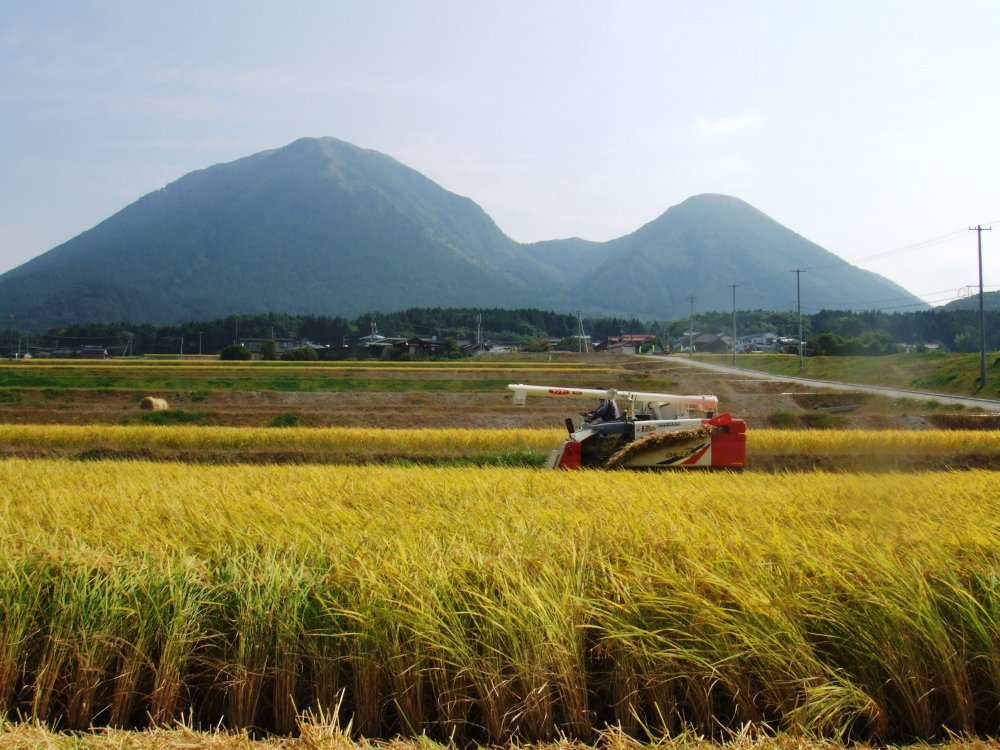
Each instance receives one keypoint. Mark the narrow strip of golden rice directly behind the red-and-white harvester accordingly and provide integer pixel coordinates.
(768, 449)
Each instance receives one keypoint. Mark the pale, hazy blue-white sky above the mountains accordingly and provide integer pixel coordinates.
(871, 127)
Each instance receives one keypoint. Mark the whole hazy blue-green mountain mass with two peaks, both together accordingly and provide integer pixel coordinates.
(321, 226)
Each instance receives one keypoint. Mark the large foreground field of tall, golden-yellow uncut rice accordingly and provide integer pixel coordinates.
(490, 605)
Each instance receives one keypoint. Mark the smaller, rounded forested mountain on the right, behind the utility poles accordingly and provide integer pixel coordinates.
(706, 244)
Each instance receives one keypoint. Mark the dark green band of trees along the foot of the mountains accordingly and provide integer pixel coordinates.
(828, 332)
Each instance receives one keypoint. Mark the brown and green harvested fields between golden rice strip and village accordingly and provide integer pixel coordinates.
(358, 394)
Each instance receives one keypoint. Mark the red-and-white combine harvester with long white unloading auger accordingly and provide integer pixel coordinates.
(655, 430)
